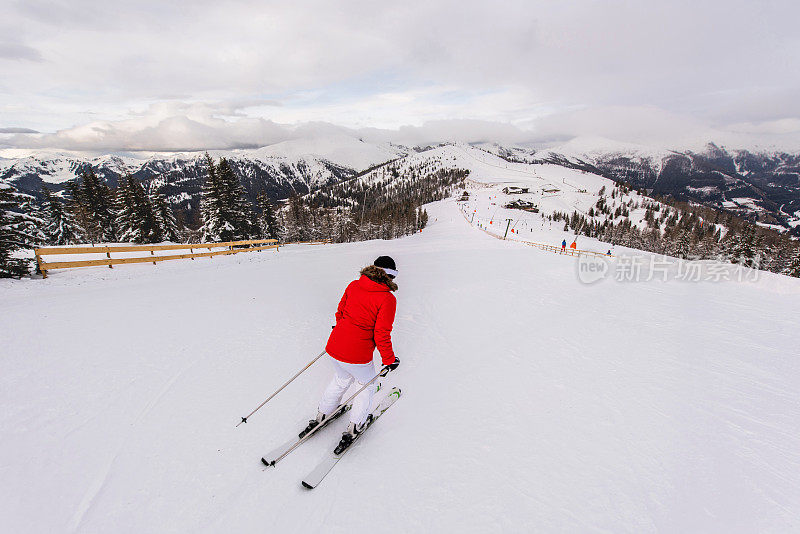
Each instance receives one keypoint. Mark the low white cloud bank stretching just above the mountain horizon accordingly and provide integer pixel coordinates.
(182, 126)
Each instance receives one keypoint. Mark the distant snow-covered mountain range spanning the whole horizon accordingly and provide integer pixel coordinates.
(760, 185)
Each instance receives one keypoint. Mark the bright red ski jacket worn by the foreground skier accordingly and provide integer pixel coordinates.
(363, 321)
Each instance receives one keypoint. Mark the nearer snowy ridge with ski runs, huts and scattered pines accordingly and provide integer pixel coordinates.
(550, 191)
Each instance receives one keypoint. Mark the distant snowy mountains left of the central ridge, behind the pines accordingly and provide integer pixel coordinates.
(292, 166)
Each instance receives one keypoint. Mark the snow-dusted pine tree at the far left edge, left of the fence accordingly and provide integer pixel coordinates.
(19, 229)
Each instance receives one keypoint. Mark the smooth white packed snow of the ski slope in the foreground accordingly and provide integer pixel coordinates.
(531, 402)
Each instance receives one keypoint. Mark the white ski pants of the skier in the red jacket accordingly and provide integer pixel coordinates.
(344, 375)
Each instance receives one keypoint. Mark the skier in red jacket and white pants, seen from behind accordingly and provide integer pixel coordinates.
(364, 320)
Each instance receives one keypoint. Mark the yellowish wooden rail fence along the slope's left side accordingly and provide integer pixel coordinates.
(245, 246)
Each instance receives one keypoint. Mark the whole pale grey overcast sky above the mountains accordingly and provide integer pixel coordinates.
(142, 75)
